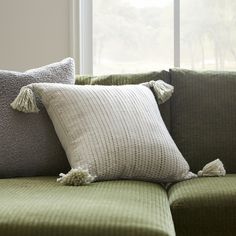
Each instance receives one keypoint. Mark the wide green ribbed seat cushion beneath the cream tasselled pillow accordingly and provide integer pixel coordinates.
(40, 206)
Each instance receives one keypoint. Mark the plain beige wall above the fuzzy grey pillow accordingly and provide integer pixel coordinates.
(33, 33)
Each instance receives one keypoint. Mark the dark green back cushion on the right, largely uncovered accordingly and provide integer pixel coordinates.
(203, 117)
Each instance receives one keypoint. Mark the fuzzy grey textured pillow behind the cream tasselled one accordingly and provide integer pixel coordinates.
(28, 143)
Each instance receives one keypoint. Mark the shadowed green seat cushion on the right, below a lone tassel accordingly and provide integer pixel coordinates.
(204, 206)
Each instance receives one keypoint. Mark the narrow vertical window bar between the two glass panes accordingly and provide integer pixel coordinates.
(176, 33)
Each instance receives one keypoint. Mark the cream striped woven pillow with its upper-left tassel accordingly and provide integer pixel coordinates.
(116, 132)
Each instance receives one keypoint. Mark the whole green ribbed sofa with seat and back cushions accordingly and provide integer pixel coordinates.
(201, 117)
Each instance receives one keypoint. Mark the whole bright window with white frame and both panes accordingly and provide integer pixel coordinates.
(129, 36)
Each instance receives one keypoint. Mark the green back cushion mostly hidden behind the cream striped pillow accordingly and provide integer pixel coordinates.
(121, 79)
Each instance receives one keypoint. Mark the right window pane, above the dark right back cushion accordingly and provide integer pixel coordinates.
(207, 34)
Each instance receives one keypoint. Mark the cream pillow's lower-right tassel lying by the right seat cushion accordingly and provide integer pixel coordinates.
(214, 168)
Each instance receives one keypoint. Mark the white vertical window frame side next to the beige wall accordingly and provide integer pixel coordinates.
(86, 37)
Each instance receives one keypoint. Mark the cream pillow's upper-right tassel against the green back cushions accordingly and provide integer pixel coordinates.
(162, 90)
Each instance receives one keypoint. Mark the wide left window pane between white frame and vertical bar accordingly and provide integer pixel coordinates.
(132, 35)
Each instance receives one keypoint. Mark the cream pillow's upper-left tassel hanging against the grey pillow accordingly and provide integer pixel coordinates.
(25, 101)
